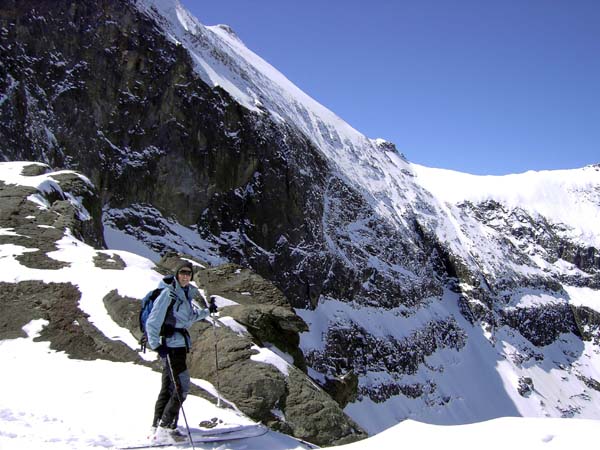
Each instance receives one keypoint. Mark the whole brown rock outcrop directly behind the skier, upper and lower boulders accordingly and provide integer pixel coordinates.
(281, 396)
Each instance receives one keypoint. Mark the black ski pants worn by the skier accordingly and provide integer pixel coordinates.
(166, 410)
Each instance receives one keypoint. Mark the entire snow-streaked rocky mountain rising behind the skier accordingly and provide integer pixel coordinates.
(445, 297)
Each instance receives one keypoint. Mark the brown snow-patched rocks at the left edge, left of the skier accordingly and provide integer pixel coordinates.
(36, 218)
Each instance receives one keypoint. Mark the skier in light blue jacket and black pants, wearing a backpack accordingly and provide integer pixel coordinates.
(166, 326)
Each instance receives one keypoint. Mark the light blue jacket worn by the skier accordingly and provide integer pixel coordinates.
(184, 312)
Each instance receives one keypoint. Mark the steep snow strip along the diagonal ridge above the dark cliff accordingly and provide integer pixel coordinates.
(223, 60)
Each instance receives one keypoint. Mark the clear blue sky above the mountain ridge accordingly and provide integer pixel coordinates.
(485, 87)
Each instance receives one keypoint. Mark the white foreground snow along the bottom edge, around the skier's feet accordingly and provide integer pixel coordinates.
(48, 401)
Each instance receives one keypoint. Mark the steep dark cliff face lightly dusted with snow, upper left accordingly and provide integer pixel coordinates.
(105, 94)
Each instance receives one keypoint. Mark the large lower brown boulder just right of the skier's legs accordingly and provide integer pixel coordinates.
(280, 396)
